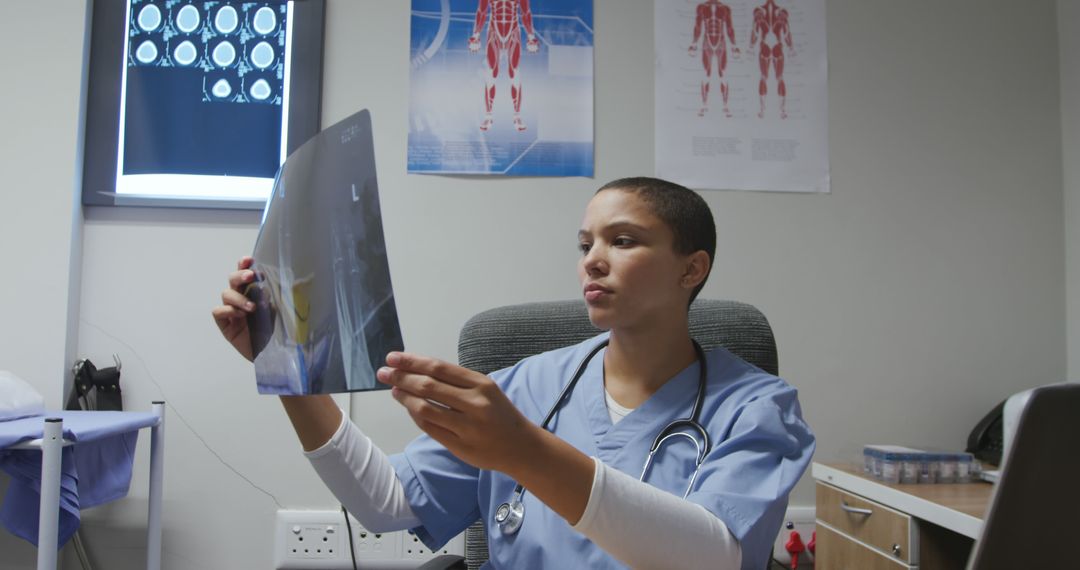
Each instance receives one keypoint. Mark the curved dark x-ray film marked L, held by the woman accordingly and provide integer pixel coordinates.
(326, 316)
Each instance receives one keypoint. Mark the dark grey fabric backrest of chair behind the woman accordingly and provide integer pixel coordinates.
(501, 337)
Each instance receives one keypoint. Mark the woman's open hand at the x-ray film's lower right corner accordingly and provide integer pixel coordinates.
(461, 409)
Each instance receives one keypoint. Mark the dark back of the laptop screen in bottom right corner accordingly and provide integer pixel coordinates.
(1032, 521)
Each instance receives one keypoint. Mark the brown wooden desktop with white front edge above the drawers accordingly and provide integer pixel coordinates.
(957, 507)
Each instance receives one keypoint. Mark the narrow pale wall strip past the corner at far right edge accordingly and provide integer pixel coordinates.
(1069, 19)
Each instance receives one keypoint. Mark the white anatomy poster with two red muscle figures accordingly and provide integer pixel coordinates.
(741, 94)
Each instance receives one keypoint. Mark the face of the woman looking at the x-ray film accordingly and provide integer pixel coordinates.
(630, 272)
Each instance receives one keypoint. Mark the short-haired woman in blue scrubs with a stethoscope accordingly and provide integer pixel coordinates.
(563, 477)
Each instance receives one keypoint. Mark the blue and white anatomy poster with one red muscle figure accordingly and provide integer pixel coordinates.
(502, 87)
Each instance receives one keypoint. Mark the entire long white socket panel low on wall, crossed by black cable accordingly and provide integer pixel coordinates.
(320, 539)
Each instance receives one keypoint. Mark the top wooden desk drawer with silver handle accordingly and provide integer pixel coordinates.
(870, 523)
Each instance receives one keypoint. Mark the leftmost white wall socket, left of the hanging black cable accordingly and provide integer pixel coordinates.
(310, 539)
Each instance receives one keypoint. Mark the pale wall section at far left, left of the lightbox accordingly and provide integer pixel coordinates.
(40, 220)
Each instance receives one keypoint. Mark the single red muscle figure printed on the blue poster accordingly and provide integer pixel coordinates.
(504, 39)
